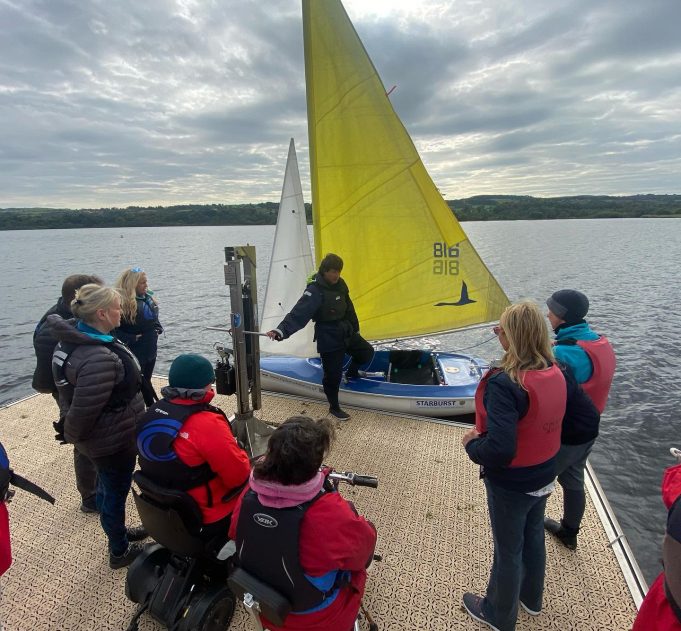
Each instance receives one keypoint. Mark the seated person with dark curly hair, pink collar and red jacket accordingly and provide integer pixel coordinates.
(293, 532)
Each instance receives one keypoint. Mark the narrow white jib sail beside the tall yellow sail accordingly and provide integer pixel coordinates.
(290, 266)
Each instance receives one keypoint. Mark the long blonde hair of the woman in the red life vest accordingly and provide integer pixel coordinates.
(529, 344)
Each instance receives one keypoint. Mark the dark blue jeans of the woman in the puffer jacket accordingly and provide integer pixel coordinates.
(114, 479)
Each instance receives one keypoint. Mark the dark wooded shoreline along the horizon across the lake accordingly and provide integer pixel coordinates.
(478, 208)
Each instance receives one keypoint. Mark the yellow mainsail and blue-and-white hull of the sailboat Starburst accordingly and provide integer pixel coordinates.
(409, 265)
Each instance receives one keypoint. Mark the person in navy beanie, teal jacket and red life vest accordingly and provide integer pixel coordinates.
(591, 360)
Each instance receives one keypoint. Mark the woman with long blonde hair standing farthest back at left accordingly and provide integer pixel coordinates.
(139, 327)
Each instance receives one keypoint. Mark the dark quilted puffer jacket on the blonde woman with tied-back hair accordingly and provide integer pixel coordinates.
(95, 429)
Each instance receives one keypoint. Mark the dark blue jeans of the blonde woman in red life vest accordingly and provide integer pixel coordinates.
(517, 521)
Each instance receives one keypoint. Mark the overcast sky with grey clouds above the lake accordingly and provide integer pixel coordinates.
(120, 102)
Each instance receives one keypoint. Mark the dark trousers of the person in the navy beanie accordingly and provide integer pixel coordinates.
(570, 464)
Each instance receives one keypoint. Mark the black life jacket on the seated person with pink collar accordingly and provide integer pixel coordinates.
(263, 536)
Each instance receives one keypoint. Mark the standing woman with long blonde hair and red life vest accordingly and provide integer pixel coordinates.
(519, 408)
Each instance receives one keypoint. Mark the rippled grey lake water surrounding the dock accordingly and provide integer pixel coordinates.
(627, 267)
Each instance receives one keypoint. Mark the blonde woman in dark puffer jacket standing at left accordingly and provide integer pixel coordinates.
(98, 379)
